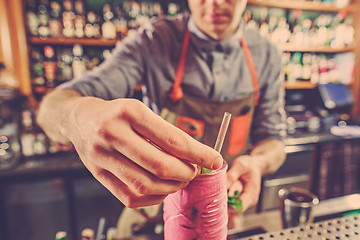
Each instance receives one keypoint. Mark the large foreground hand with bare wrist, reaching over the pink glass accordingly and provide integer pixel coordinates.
(139, 157)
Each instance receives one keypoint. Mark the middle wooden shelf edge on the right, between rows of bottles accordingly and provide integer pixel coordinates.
(324, 49)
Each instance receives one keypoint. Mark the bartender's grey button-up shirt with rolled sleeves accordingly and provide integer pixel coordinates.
(214, 70)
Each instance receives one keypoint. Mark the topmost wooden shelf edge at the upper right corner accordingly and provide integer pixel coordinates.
(303, 5)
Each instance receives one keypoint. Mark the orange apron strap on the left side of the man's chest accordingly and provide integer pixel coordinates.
(176, 92)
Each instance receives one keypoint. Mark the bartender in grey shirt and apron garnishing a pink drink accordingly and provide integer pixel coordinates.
(195, 67)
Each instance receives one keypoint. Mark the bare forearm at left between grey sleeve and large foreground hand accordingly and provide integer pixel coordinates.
(55, 112)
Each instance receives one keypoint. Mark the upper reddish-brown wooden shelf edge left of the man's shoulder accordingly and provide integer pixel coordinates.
(72, 41)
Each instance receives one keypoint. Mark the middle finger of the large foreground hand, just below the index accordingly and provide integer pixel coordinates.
(146, 155)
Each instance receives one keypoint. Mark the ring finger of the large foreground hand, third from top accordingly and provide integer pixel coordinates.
(135, 177)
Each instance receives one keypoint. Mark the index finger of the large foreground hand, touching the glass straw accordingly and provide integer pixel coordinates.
(173, 140)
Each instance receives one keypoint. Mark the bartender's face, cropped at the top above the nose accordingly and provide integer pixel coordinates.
(218, 19)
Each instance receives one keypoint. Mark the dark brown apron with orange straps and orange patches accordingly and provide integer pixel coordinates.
(201, 118)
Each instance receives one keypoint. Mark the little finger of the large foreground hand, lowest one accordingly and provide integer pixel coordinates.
(123, 193)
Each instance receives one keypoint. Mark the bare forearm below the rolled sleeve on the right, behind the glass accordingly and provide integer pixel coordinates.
(269, 154)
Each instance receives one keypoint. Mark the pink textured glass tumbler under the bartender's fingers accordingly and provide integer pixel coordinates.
(198, 211)
